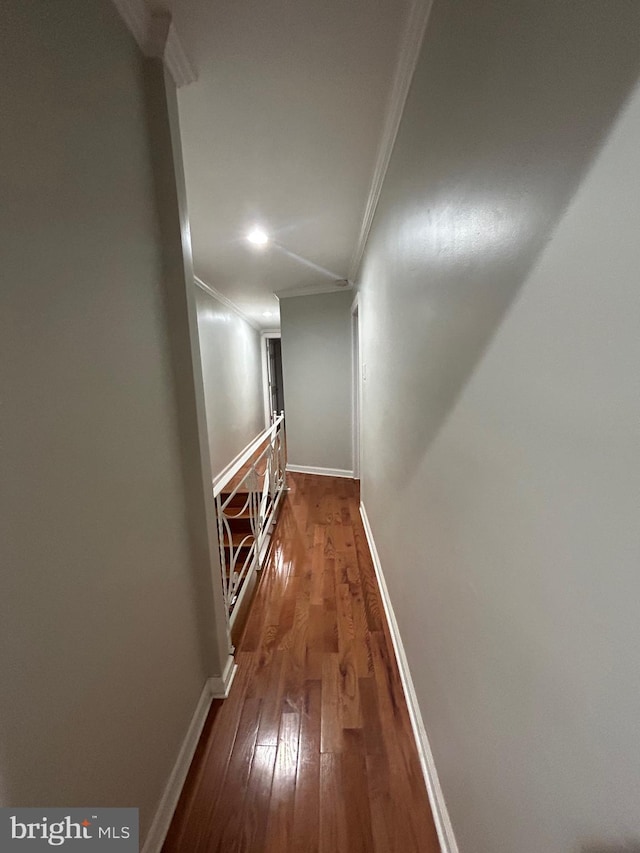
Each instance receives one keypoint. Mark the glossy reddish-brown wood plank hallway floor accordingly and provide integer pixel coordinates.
(313, 750)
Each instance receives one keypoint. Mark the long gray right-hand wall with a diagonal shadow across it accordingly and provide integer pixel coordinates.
(500, 451)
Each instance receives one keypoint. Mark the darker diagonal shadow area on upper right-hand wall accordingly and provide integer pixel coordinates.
(508, 106)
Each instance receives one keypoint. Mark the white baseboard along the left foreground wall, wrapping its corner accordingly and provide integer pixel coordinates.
(214, 688)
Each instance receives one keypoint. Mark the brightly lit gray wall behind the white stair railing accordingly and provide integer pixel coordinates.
(232, 373)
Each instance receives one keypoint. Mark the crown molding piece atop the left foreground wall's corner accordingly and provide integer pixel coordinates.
(158, 38)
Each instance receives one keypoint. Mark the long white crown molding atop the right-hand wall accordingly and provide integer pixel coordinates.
(410, 45)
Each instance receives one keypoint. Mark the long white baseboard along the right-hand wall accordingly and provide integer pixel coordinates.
(436, 796)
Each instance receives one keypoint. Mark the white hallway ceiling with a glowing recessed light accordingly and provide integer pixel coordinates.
(283, 129)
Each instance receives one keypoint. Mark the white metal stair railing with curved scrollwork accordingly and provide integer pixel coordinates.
(247, 495)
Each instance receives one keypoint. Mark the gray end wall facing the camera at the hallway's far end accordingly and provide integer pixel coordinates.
(316, 363)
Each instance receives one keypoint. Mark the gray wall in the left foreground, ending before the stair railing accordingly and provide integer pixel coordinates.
(102, 649)
